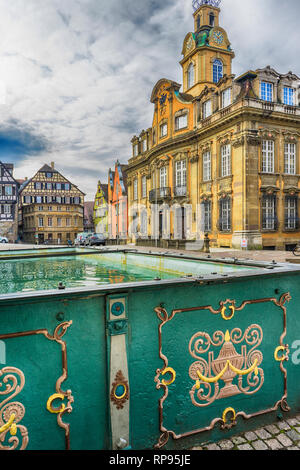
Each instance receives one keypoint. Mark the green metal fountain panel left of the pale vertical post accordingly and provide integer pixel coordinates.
(40, 360)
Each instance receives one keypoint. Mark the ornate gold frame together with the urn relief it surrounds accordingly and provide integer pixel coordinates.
(226, 364)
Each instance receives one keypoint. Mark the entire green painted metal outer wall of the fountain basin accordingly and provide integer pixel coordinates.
(154, 339)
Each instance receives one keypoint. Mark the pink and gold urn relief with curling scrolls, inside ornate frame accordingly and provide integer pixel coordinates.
(228, 365)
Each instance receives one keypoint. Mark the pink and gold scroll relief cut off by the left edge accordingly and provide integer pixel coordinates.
(11, 413)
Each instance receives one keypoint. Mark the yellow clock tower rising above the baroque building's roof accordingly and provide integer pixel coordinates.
(207, 54)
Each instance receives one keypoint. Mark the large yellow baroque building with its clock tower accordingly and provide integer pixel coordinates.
(222, 156)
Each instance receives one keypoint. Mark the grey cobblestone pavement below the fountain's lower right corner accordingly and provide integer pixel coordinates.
(282, 435)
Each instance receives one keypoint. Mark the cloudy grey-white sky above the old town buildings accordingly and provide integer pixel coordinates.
(76, 75)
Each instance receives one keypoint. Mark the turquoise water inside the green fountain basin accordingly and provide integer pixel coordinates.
(94, 270)
